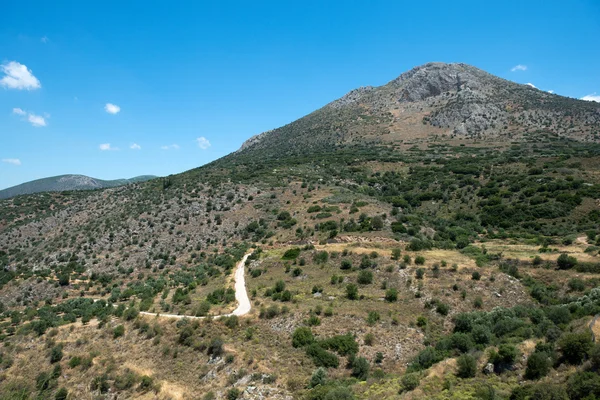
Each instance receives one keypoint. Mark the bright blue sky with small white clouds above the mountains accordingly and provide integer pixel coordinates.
(81, 82)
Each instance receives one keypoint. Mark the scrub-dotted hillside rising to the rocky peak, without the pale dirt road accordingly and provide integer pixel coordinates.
(394, 254)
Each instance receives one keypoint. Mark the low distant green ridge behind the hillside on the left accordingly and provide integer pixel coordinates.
(67, 182)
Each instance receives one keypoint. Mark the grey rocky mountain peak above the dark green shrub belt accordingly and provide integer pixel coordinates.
(454, 100)
